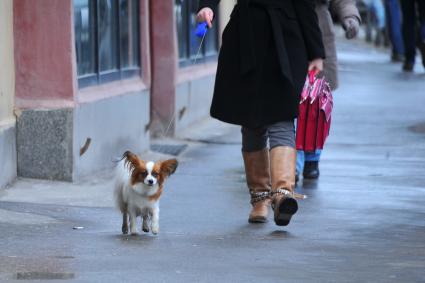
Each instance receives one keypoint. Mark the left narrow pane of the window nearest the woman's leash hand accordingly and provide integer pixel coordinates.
(181, 23)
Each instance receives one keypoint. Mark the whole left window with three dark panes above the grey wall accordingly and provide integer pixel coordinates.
(107, 40)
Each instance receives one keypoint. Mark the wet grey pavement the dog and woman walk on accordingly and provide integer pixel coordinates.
(364, 220)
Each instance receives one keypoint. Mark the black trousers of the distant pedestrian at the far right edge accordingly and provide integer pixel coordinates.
(411, 9)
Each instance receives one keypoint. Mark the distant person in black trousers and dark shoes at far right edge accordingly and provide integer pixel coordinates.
(413, 31)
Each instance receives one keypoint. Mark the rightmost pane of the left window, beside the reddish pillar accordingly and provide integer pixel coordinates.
(129, 33)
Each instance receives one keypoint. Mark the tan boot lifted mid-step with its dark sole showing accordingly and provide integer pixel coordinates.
(284, 204)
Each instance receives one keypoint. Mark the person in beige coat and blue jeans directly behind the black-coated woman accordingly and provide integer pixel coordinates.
(346, 10)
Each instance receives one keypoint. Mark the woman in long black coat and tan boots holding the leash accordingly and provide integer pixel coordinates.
(267, 48)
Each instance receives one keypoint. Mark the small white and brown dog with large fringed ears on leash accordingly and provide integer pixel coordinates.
(138, 187)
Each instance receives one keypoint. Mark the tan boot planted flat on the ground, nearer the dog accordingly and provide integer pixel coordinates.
(257, 170)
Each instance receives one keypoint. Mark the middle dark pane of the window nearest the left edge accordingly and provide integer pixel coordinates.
(107, 30)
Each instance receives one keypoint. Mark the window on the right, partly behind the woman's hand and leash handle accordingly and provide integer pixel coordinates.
(185, 11)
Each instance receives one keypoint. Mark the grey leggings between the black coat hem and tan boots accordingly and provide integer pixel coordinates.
(278, 134)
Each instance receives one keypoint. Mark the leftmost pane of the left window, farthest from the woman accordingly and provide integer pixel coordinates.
(85, 36)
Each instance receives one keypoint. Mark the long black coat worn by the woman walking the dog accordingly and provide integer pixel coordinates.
(263, 60)
